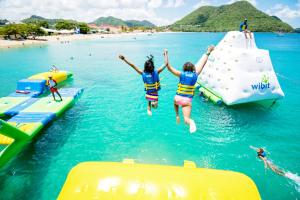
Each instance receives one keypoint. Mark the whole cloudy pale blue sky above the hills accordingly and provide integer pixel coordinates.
(161, 12)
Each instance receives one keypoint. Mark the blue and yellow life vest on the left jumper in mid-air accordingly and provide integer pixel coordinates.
(151, 81)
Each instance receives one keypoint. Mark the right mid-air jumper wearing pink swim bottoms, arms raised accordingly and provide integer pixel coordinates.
(186, 86)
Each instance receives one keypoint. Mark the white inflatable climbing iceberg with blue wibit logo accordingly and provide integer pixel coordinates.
(239, 72)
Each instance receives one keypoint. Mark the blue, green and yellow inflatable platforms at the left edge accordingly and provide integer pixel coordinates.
(29, 109)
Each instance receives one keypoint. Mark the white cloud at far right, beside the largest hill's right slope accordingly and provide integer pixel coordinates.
(285, 12)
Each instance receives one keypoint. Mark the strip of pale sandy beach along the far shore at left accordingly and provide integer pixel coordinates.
(44, 40)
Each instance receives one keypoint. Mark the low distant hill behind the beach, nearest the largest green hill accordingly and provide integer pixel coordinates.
(119, 22)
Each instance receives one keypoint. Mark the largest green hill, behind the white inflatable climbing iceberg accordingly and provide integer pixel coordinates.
(228, 18)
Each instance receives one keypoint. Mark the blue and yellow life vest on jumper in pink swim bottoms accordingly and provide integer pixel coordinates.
(186, 85)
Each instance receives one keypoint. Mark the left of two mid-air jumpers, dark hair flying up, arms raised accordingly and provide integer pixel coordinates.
(151, 81)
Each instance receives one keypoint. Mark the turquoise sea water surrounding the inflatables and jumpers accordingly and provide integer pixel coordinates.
(110, 123)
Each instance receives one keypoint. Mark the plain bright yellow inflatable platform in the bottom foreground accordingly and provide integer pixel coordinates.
(127, 180)
